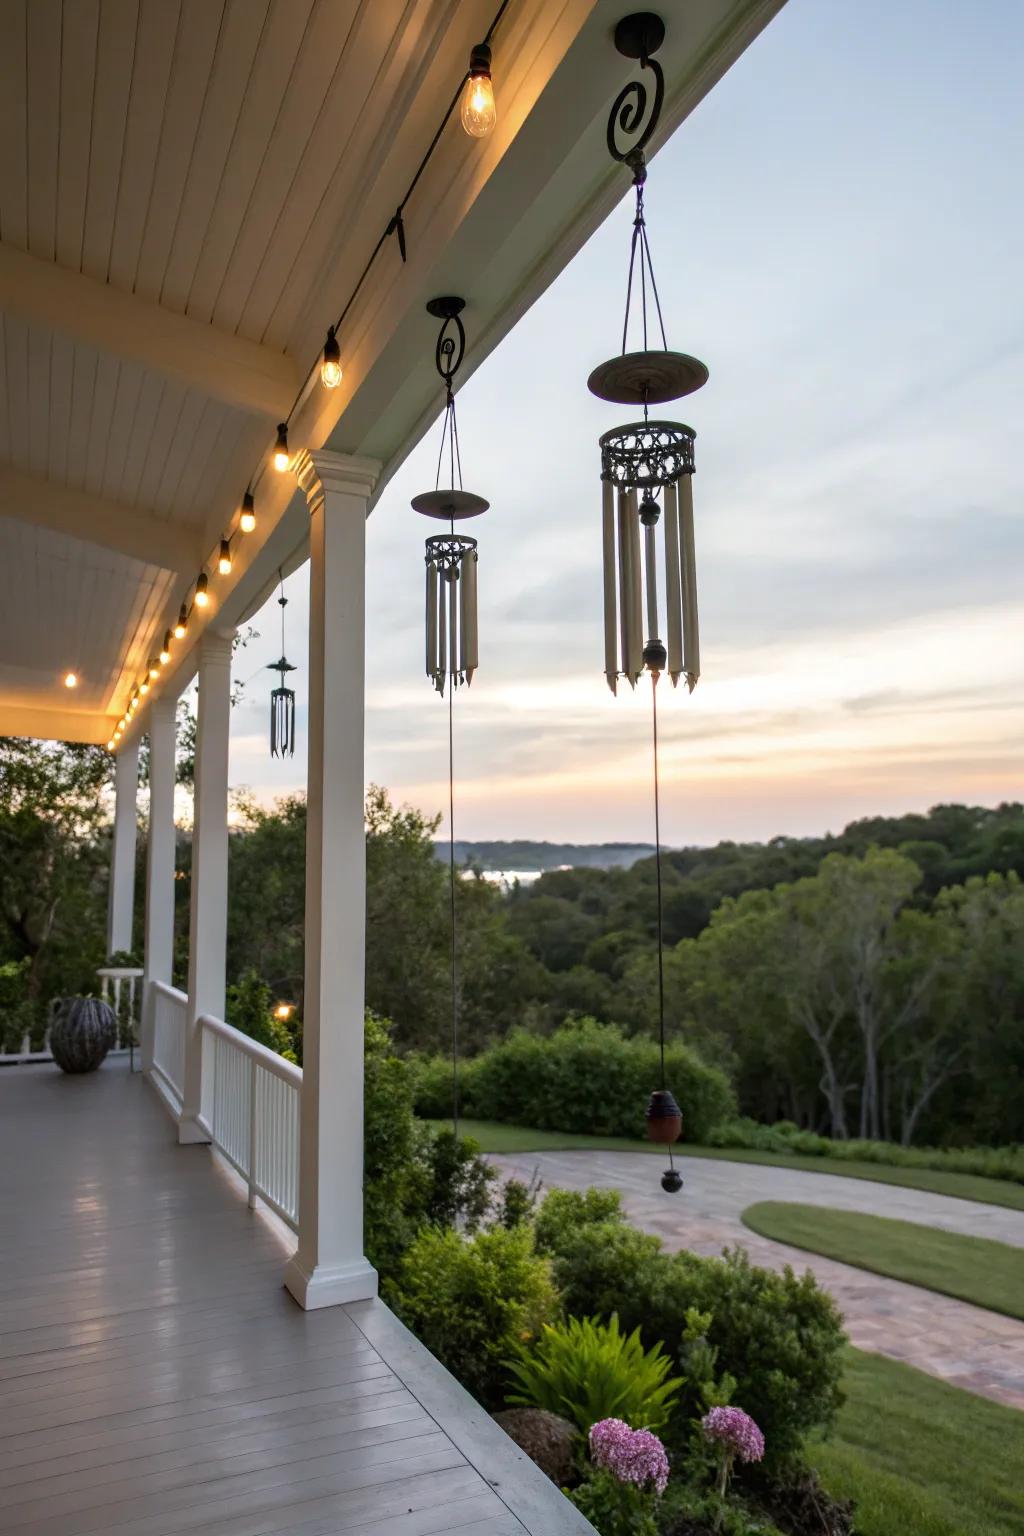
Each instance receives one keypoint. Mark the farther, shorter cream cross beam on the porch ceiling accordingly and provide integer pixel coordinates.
(94, 520)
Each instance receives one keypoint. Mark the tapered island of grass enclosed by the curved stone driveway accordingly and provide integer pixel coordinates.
(973, 1270)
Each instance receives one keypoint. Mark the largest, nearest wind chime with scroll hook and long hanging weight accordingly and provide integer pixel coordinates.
(638, 463)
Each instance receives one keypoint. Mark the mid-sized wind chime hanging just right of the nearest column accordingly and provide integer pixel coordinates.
(451, 560)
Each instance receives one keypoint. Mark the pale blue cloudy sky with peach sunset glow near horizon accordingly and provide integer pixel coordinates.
(839, 234)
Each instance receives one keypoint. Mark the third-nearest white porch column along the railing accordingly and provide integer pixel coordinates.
(160, 858)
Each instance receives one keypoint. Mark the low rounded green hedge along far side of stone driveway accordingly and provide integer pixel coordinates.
(586, 1079)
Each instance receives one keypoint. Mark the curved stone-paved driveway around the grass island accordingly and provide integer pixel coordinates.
(963, 1345)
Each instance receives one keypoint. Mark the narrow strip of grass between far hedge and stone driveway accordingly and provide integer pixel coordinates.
(963, 1187)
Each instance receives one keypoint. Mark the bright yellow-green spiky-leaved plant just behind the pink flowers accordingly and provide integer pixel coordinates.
(590, 1371)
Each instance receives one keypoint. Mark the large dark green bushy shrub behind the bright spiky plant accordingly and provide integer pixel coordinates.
(778, 1337)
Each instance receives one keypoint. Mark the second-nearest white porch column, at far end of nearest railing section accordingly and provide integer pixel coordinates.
(208, 919)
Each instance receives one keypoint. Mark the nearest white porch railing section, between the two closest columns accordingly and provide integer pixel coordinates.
(251, 1107)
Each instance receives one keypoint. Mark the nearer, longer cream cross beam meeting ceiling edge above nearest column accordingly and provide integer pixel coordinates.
(214, 362)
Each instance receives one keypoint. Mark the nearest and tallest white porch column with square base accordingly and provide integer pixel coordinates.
(329, 1266)
